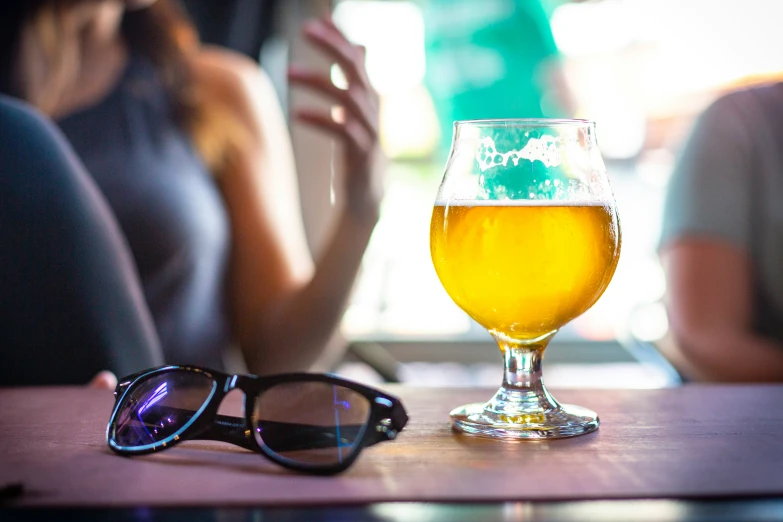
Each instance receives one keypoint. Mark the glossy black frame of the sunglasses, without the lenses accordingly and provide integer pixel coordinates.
(386, 418)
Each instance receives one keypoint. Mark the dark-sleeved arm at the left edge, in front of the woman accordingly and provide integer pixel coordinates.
(71, 302)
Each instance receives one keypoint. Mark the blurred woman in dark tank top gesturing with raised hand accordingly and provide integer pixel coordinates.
(190, 149)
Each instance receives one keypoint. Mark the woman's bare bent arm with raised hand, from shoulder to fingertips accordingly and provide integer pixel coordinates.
(286, 308)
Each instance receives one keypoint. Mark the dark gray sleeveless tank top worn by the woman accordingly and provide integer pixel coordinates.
(169, 208)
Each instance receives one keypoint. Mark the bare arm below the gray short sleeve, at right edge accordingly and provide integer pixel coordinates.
(710, 307)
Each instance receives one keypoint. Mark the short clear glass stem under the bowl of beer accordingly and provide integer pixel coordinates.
(523, 391)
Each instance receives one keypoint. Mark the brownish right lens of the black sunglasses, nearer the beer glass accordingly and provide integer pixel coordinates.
(311, 423)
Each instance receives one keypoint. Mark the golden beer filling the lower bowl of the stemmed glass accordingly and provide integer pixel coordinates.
(524, 268)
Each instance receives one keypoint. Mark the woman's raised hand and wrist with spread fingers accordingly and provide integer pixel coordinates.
(358, 125)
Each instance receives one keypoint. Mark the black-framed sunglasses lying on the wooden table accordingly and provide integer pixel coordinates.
(314, 423)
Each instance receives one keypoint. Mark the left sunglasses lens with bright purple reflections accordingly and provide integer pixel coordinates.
(156, 410)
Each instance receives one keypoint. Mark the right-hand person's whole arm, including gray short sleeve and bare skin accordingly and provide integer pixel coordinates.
(705, 250)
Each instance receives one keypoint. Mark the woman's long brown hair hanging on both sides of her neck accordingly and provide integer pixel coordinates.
(161, 33)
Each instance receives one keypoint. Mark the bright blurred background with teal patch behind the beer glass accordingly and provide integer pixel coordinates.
(641, 69)
